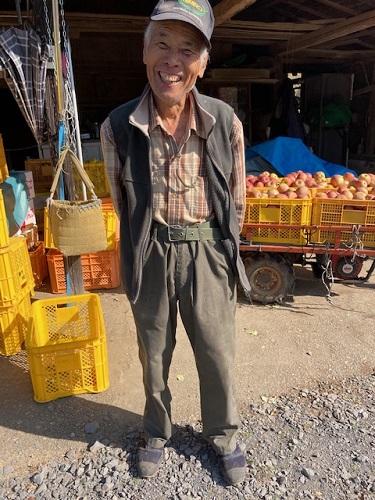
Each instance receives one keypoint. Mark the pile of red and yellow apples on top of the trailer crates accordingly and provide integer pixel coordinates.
(302, 185)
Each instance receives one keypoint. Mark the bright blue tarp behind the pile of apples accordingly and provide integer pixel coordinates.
(287, 154)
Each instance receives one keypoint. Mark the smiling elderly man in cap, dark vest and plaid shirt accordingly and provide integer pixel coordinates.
(175, 161)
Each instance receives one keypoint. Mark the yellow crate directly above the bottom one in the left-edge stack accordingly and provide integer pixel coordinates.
(16, 275)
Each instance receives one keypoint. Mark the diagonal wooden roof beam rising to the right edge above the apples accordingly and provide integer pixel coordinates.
(337, 30)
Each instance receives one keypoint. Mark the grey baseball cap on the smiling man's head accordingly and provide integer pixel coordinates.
(195, 12)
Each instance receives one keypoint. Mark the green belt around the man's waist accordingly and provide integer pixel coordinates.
(197, 232)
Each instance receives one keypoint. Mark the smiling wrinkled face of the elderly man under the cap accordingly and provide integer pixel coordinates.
(173, 59)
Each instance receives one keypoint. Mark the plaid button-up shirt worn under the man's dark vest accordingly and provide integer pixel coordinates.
(181, 194)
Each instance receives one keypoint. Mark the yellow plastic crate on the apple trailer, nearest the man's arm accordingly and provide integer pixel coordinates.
(278, 212)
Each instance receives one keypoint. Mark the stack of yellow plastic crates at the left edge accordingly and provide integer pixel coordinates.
(16, 288)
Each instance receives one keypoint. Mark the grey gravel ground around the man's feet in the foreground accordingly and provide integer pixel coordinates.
(310, 443)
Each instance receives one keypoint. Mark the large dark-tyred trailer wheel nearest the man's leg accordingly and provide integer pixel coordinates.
(271, 277)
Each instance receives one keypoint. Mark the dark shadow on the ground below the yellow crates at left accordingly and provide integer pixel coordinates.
(63, 418)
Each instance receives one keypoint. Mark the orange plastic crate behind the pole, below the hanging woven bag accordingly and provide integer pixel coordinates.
(99, 270)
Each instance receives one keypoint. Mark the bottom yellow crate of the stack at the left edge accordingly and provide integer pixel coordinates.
(13, 326)
